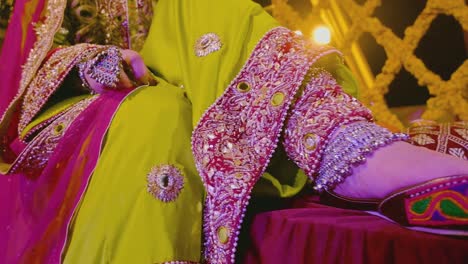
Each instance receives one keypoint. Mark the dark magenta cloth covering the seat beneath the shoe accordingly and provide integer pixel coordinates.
(314, 233)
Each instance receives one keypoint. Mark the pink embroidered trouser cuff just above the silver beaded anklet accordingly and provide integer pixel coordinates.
(323, 109)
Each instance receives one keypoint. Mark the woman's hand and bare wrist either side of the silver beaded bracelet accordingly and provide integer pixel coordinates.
(133, 74)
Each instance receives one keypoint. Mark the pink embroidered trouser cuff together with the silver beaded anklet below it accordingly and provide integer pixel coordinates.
(329, 131)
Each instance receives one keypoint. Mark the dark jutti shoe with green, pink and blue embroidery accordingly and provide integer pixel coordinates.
(436, 206)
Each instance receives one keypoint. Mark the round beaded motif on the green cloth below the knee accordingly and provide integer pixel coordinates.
(165, 182)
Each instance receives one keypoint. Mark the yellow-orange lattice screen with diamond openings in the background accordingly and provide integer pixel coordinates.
(349, 20)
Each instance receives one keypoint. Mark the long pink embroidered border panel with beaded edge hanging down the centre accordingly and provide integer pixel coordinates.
(236, 137)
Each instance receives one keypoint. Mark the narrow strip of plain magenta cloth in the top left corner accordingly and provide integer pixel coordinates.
(17, 44)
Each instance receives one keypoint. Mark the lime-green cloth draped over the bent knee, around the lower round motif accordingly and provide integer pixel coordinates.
(118, 220)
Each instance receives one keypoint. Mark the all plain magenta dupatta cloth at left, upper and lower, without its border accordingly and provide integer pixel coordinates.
(35, 212)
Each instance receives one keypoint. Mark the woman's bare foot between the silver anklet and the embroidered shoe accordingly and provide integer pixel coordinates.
(397, 166)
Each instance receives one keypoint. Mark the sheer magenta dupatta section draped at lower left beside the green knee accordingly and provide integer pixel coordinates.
(35, 212)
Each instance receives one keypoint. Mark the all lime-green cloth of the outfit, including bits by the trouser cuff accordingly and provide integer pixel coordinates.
(118, 221)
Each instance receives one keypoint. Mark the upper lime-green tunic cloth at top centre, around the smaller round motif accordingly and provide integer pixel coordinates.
(178, 24)
